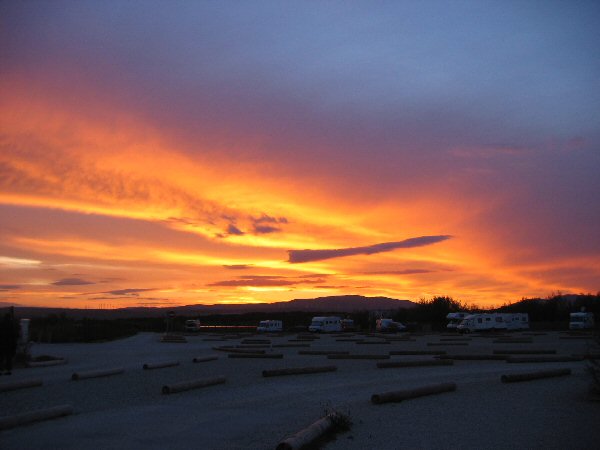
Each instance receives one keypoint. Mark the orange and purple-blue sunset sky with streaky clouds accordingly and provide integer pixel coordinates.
(157, 153)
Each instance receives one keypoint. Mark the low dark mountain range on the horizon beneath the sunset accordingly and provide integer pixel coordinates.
(333, 304)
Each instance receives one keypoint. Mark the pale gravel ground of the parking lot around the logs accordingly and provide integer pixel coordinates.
(128, 411)
